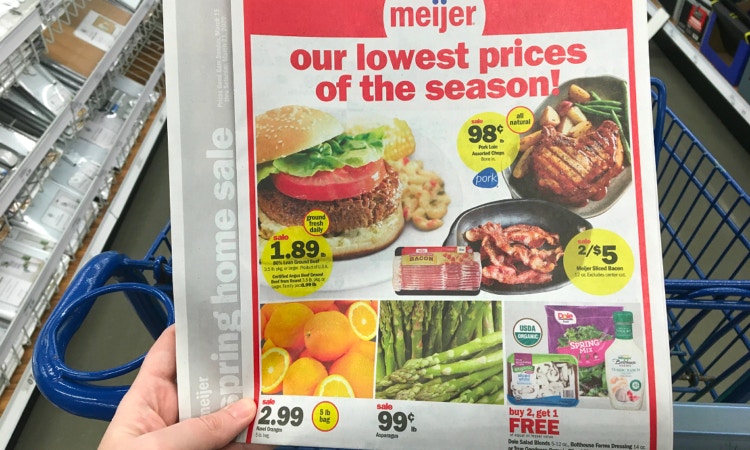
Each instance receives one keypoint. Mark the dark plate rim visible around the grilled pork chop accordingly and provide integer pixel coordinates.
(608, 88)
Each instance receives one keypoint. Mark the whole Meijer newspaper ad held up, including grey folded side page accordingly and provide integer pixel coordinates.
(425, 224)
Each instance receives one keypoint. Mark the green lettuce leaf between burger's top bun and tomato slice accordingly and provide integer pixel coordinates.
(341, 151)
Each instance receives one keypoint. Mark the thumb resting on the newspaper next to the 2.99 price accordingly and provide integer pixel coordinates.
(213, 430)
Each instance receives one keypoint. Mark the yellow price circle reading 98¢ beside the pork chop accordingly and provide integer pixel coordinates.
(486, 141)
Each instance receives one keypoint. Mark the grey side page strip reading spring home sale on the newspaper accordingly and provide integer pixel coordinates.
(202, 184)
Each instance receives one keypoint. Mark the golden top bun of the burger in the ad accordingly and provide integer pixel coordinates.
(291, 129)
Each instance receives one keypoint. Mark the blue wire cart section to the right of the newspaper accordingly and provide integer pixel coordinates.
(704, 217)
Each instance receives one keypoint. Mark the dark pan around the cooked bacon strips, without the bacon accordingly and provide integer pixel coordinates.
(546, 215)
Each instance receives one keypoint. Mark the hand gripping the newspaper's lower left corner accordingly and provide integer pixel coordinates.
(147, 415)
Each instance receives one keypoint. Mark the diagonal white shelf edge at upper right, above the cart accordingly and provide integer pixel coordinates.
(737, 112)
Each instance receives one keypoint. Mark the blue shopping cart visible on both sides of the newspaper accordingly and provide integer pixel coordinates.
(704, 214)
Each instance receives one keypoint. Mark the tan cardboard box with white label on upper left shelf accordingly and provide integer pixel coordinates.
(98, 22)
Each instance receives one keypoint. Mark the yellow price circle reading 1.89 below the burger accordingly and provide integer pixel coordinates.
(296, 263)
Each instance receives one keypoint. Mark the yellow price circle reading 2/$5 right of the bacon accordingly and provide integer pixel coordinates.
(598, 261)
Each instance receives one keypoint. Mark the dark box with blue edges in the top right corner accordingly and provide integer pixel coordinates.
(726, 42)
